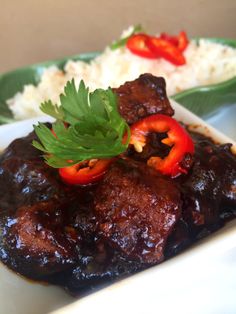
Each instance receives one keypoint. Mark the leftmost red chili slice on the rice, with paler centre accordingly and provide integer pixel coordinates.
(137, 44)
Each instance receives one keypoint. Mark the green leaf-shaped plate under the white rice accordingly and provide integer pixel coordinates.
(203, 101)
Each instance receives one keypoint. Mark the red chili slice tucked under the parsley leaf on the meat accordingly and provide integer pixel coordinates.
(86, 172)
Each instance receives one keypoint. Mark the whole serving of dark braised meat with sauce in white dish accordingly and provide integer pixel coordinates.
(135, 217)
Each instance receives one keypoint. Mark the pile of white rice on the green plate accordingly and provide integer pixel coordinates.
(207, 63)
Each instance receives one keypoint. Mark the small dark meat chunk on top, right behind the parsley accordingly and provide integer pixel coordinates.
(143, 97)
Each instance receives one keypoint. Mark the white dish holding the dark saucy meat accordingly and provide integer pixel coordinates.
(200, 280)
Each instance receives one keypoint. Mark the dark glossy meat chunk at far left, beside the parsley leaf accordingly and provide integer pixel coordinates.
(25, 178)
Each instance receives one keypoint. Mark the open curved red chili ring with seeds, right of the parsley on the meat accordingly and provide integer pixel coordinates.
(178, 139)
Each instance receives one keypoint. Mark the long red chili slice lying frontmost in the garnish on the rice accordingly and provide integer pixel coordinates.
(166, 50)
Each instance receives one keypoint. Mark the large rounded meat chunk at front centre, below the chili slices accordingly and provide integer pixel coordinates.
(137, 210)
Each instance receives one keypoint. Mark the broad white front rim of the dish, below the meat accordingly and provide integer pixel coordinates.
(201, 280)
